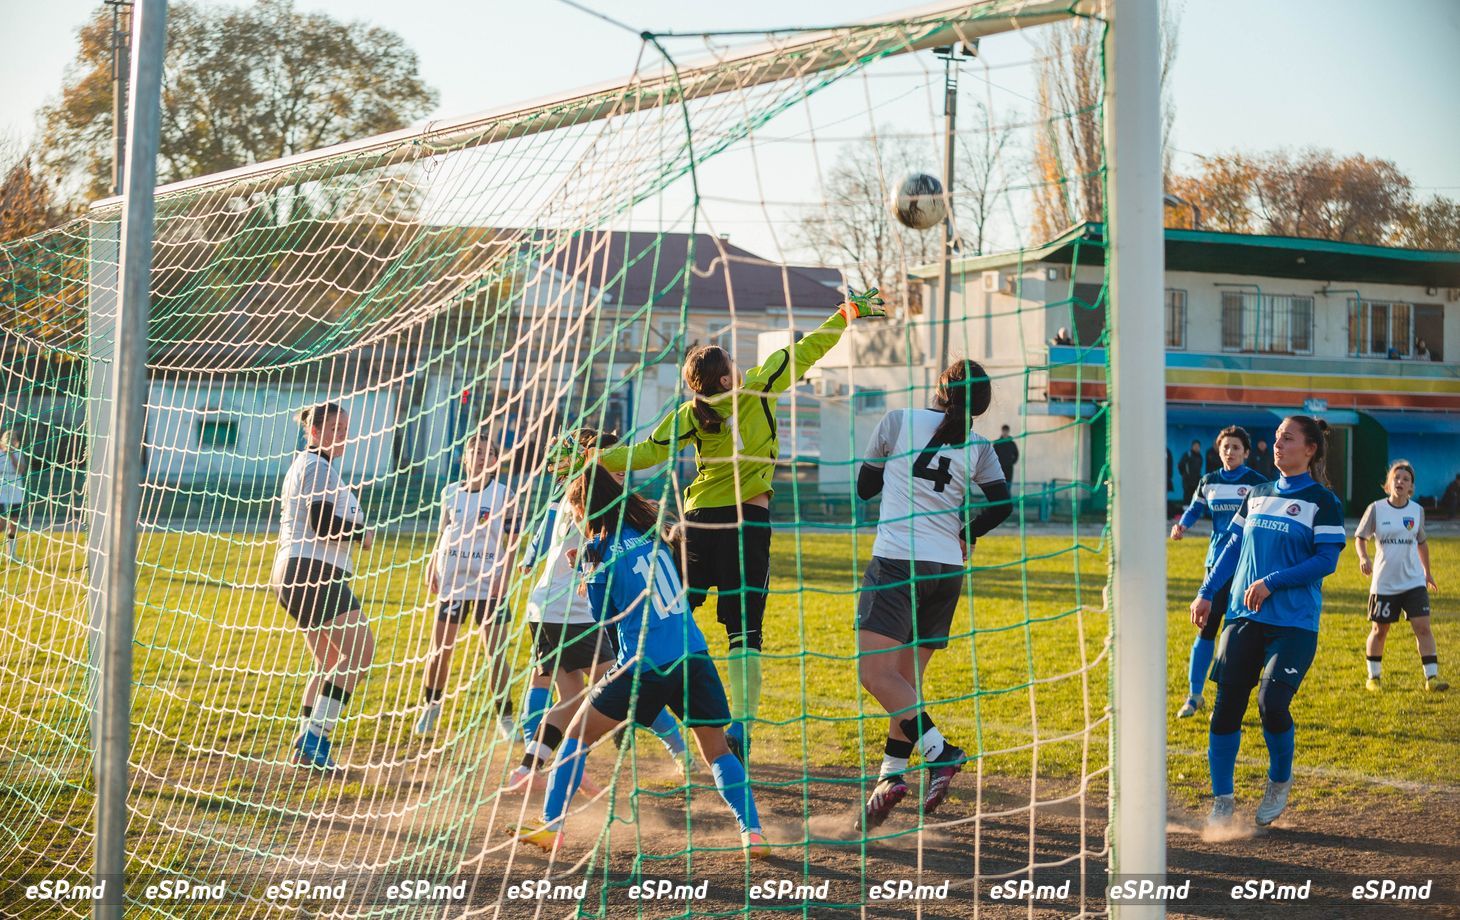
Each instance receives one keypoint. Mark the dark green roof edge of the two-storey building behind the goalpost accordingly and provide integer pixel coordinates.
(1218, 253)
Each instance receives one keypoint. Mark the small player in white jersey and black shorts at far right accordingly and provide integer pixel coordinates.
(1399, 573)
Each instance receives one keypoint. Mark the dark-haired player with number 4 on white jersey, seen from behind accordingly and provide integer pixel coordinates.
(922, 462)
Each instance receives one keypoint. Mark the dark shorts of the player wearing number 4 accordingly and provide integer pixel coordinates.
(890, 605)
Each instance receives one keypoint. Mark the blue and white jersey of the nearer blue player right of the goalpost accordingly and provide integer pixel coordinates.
(1281, 529)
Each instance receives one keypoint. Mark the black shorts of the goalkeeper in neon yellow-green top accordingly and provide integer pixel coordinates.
(731, 550)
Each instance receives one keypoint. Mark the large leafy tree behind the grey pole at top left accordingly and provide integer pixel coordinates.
(240, 85)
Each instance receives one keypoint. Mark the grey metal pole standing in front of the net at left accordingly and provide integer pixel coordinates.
(123, 494)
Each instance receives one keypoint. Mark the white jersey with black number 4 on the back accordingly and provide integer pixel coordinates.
(925, 486)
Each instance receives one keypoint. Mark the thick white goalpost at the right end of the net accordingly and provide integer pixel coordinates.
(1138, 430)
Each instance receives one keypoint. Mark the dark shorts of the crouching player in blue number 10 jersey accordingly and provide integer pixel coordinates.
(691, 690)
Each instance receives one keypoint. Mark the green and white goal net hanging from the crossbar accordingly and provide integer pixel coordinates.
(535, 272)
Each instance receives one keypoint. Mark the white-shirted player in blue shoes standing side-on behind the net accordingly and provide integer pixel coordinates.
(320, 522)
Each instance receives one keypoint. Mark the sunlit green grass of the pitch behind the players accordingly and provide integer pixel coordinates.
(1026, 683)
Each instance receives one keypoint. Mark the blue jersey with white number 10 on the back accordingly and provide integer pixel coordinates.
(640, 576)
